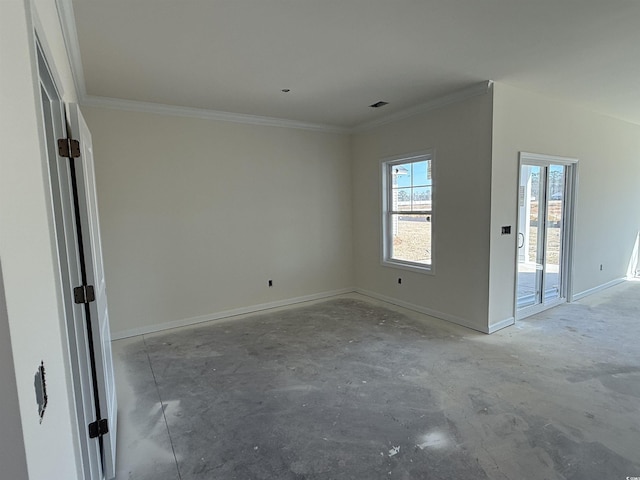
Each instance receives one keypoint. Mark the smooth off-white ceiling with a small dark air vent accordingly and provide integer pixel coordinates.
(339, 56)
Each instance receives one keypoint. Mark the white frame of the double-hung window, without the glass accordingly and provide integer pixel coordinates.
(386, 226)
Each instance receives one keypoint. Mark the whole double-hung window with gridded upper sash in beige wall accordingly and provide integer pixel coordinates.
(407, 185)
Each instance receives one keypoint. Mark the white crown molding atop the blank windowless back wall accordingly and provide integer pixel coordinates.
(201, 113)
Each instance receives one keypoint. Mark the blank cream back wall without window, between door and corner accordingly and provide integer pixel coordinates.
(197, 215)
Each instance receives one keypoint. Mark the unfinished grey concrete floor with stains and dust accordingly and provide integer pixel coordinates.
(352, 388)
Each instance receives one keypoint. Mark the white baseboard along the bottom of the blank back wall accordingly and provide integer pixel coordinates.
(226, 314)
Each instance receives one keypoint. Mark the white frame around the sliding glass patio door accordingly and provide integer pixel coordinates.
(568, 237)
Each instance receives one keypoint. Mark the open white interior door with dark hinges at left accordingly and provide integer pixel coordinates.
(87, 209)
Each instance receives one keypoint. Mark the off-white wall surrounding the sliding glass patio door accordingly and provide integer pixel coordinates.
(607, 212)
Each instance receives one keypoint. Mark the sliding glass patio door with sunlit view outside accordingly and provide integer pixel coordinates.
(545, 212)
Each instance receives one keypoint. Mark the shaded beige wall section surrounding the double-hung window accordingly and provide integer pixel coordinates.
(461, 135)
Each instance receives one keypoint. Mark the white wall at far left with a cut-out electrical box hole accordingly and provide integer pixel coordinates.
(27, 248)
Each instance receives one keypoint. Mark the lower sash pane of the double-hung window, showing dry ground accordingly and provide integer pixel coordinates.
(411, 238)
